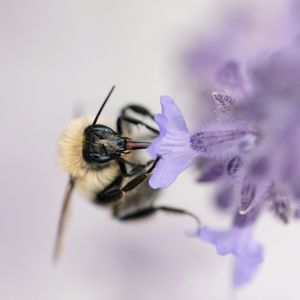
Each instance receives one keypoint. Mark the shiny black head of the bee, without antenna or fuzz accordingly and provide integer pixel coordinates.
(102, 144)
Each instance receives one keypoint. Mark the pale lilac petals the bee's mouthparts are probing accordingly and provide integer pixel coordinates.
(172, 146)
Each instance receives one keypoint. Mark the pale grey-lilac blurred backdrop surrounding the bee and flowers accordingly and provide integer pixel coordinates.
(59, 56)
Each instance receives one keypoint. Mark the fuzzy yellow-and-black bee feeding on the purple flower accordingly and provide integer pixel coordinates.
(103, 166)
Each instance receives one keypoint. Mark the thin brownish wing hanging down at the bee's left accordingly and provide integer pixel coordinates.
(63, 219)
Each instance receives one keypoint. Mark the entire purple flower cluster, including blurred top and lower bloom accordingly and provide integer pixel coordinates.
(251, 145)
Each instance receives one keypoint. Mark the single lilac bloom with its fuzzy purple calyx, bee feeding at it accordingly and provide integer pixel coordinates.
(176, 146)
